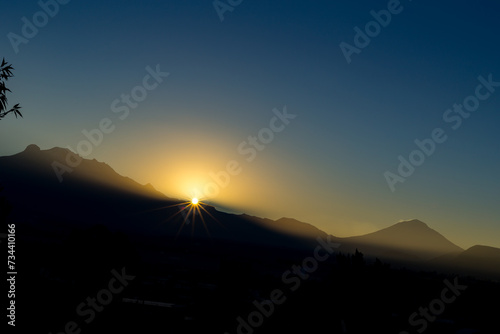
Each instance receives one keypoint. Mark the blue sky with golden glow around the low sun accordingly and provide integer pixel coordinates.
(274, 108)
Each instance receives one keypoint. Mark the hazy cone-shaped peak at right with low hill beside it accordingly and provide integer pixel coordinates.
(414, 244)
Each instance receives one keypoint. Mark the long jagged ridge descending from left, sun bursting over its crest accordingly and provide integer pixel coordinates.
(91, 192)
